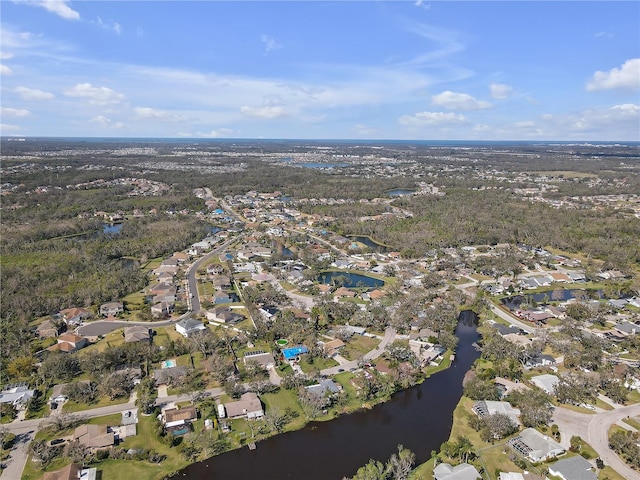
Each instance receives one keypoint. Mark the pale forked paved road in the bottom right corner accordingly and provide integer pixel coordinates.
(594, 429)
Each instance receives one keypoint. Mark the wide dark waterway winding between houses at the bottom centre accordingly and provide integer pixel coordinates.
(419, 418)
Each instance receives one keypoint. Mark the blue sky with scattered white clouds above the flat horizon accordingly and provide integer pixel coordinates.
(442, 70)
